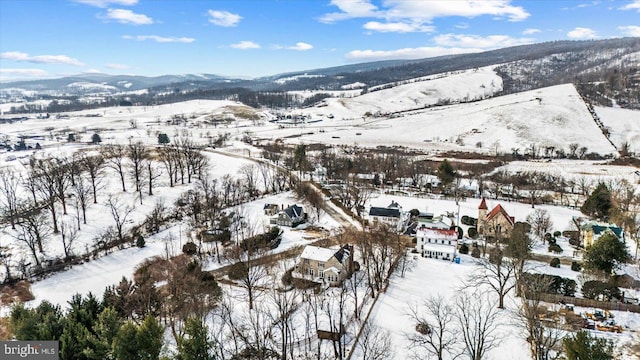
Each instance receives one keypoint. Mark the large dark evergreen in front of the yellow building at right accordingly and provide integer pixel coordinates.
(606, 254)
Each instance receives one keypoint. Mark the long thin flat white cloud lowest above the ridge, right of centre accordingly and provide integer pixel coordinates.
(406, 53)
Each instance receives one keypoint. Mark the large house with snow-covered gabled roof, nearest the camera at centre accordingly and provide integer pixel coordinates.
(323, 265)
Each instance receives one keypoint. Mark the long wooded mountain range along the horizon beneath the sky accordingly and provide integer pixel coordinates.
(588, 64)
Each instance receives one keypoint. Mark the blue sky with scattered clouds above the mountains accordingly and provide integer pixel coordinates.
(53, 38)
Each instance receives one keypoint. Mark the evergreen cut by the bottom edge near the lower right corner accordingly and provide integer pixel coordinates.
(584, 346)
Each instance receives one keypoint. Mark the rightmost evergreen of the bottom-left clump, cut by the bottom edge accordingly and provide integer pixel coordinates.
(196, 343)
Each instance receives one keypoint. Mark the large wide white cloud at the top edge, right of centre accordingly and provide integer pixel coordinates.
(423, 11)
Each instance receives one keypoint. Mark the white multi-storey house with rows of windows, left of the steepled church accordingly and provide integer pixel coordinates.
(437, 243)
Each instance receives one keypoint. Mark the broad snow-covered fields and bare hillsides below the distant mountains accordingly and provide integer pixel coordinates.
(400, 116)
